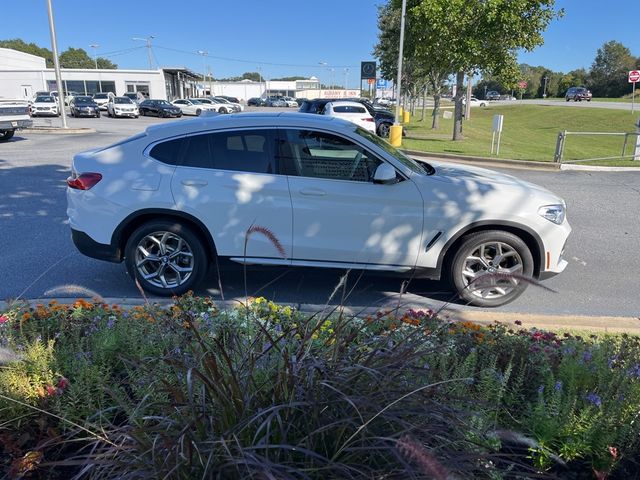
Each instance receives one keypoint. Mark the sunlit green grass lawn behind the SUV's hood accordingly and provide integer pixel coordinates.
(529, 133)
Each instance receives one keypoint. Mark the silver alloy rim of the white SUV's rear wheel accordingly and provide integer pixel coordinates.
(164, 259)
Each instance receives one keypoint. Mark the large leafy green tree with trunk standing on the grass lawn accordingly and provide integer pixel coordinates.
(478, 35)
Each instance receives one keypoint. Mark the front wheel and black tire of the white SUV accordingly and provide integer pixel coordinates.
(515, 257)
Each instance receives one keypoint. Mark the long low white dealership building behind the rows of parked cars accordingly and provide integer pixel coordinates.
(23, 74)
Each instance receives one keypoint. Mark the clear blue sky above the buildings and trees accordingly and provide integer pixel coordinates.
(324, 38)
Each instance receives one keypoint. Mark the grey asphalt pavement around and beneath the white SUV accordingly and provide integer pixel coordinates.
(39, 259)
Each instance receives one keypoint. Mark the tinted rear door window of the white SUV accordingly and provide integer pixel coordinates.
(239, 151)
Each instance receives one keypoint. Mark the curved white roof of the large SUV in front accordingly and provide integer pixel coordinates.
(252, 119)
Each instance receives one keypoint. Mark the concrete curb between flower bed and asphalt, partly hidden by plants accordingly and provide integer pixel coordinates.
(597, 324)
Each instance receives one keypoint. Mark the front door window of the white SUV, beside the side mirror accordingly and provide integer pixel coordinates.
(307, 153)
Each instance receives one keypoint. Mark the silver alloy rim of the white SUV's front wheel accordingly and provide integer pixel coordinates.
(491, 270)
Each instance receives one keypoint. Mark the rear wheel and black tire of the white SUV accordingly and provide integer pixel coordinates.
(171, 232)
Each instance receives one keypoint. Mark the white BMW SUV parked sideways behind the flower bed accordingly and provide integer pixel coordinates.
(306, 190)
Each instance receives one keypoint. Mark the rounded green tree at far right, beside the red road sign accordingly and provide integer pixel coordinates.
(608, 75)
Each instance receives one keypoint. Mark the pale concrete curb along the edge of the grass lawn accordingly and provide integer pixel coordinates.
(517, 164)
